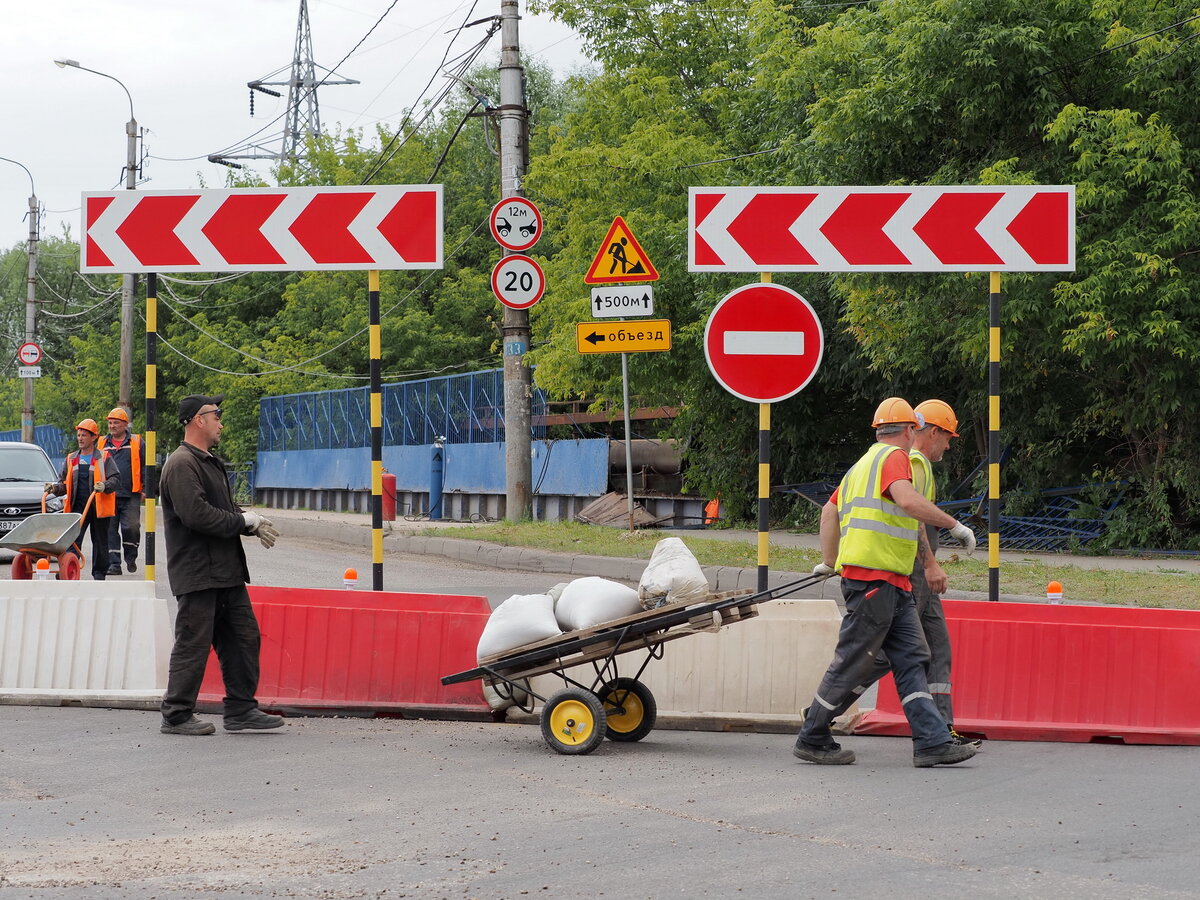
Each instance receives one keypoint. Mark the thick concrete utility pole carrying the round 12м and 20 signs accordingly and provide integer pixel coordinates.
(514, 148)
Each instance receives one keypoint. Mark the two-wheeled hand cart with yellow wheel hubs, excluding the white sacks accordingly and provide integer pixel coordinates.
(578, 718)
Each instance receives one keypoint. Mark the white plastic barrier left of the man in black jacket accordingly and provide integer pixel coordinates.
(87, 643)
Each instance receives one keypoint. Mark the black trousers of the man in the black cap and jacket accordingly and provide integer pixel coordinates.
(221, 619)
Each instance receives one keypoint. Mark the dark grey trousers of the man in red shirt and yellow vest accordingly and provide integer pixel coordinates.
(879, 617)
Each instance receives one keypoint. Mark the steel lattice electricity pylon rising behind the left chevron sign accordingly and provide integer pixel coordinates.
(303, 113)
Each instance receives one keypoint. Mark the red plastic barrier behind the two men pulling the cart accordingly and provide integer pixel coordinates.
(1071, 674)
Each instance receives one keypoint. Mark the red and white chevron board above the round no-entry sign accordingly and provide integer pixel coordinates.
(1019, 229)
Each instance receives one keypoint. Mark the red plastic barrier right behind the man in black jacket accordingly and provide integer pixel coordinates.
(363, 651)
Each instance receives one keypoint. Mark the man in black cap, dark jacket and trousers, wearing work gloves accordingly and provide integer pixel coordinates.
(208, 575)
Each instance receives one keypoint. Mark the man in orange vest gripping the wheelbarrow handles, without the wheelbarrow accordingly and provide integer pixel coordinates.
(89, 475)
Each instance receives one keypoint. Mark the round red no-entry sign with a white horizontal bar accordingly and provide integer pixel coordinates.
(764, 343)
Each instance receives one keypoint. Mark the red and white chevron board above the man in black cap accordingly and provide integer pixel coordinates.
(248, 230)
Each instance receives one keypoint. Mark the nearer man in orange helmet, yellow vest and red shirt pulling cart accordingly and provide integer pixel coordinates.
(869, 535)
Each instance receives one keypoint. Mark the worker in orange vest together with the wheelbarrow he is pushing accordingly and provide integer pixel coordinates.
(88, 481)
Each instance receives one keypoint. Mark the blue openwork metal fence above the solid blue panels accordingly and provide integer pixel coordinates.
(461, 410)
